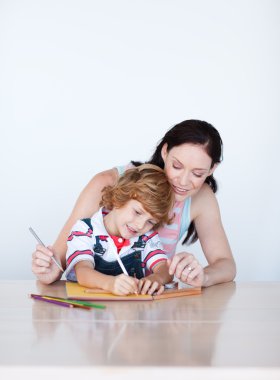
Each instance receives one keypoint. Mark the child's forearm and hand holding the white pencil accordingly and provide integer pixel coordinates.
(89, 277)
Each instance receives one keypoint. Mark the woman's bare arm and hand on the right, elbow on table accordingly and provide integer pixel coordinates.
(221, 267)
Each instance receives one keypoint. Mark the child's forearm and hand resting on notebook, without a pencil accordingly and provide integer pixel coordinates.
(155, 282)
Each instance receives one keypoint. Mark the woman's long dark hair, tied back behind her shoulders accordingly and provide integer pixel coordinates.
(191, 132)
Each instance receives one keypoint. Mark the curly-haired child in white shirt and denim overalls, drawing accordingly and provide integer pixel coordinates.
(139, 203)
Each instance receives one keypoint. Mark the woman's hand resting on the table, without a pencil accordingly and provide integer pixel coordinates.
(187, 269)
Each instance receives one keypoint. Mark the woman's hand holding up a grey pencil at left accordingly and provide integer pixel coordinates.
(43, 266)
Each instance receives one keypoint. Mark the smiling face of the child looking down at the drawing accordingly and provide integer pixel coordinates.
(132, 220)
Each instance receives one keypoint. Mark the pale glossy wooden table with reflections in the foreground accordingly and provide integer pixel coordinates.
(230, 329)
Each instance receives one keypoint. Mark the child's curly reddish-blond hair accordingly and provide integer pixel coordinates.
(147, 184)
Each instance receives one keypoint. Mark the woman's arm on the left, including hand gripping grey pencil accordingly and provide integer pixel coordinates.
(86, 205)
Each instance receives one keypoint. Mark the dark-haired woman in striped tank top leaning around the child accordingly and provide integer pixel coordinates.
(189, 153)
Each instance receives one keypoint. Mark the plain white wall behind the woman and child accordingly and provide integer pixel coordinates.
(86, 85)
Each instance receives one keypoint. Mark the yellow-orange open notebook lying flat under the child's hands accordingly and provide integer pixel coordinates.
(78, 292)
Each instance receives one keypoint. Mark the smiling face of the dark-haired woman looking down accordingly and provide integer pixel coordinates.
(186, 167)
